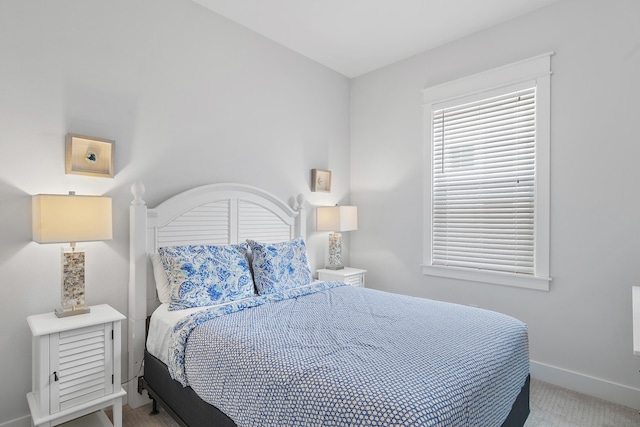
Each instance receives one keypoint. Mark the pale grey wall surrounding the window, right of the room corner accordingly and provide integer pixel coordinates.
(580, 331)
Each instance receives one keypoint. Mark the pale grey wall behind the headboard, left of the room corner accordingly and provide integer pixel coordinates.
(189, 97)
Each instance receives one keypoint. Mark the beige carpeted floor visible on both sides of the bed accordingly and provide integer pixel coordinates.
(551, 406)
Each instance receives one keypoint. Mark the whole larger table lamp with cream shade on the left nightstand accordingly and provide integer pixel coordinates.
(71, 219)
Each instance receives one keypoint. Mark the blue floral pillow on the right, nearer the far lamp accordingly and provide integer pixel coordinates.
(280, 266)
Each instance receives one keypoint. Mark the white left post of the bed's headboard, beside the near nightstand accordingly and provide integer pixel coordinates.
(137, 292)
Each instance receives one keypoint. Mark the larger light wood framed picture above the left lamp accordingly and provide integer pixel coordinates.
(86, 155)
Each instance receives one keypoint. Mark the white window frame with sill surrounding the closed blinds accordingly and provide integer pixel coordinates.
(536, 71)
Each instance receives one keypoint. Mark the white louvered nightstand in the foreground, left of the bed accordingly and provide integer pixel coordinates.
(76, 368)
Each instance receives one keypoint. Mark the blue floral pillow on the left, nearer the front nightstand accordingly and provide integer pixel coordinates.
(202, 275)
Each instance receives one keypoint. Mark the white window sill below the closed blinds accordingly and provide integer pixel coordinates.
(505, 279)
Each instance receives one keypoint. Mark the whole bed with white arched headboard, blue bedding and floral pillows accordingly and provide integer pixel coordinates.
(290, 350)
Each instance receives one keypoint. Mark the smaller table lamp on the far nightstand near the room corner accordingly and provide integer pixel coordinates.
(336, 219)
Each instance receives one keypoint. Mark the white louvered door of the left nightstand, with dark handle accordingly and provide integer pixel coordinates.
(81, 366)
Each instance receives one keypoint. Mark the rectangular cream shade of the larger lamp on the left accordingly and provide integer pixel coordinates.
(71, 218)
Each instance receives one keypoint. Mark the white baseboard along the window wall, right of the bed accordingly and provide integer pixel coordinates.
(596, 387)
